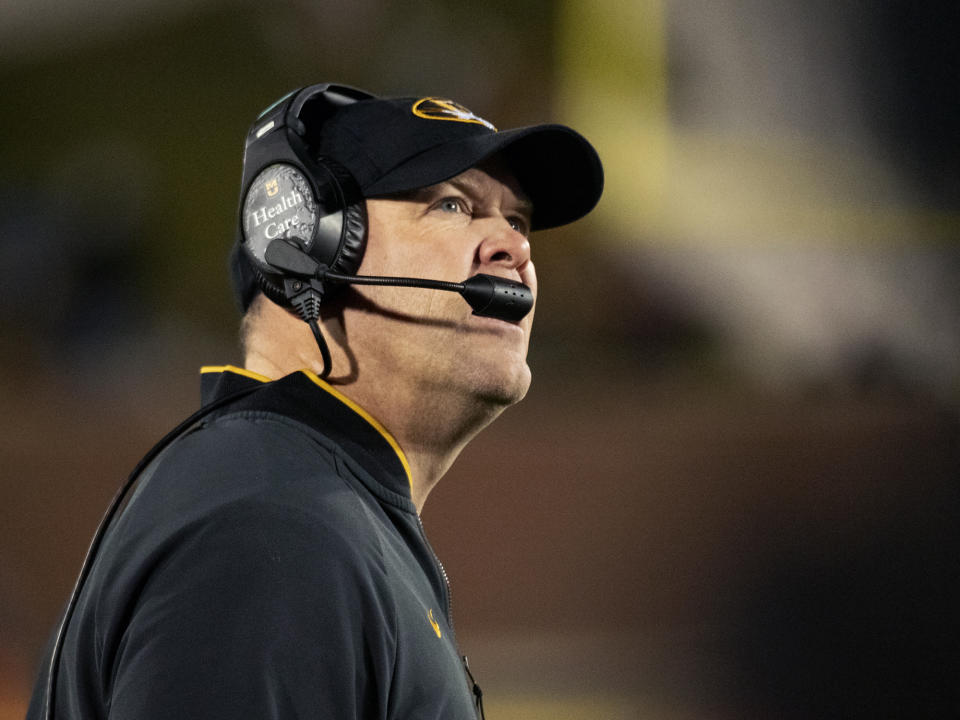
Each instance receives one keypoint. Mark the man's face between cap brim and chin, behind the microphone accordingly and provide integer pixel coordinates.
(477, 222)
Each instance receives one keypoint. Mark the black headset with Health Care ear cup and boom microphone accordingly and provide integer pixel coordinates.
(303, 220)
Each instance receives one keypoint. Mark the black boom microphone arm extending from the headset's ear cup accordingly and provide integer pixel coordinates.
(488, 295)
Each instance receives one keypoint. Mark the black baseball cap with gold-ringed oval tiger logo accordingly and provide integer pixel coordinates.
(400, 144)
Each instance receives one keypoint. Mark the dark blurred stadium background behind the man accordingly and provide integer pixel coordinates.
(732, 491)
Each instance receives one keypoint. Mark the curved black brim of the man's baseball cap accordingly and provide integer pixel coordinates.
(556, 167)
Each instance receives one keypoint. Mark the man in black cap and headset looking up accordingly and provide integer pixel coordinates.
(270, 561)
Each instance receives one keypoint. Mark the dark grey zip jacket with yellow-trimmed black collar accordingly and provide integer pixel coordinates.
(270, 564)
